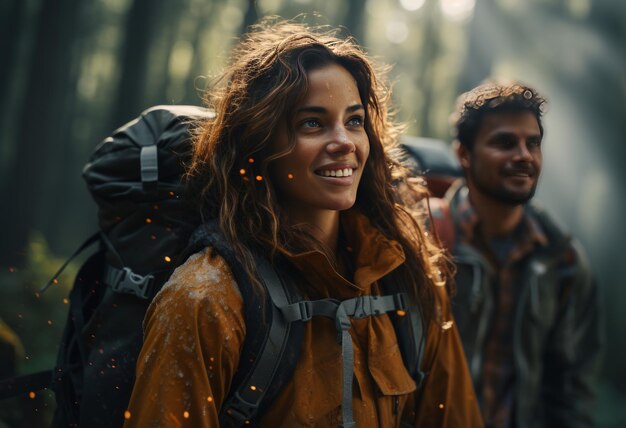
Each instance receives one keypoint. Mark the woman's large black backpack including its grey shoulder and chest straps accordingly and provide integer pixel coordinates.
(147, 229)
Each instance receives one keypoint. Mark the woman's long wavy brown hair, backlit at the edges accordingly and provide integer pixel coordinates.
(259, 92)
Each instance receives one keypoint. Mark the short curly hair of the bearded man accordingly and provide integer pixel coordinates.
(491, 97)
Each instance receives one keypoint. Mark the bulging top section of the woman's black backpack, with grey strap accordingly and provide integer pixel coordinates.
(136, 178)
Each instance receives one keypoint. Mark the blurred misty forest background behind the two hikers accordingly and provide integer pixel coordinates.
(71, 71)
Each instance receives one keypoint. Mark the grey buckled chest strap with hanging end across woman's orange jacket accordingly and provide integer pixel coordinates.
(341, 312)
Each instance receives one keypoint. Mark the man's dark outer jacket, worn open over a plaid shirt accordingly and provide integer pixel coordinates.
(556, 326)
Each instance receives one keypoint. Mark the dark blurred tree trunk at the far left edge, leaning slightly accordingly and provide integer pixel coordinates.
(41, 125)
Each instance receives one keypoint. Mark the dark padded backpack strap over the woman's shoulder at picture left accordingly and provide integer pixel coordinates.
(271, 348)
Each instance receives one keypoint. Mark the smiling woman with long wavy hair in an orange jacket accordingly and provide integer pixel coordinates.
(295, 166)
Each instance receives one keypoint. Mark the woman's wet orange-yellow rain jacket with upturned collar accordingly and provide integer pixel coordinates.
(195, 328)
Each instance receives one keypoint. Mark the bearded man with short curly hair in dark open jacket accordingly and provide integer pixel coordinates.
(526, 306)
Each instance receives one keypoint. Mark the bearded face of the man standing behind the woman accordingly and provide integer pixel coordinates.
(505, 162)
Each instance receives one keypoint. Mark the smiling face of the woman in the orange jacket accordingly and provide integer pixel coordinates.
(323, 171)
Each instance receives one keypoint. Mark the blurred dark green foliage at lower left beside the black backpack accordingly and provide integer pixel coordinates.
(31, 323)
